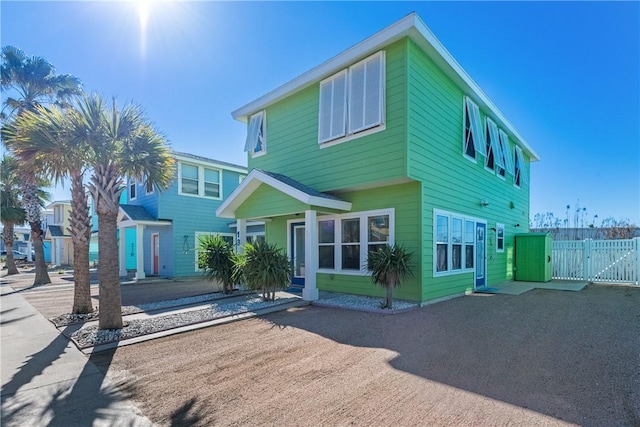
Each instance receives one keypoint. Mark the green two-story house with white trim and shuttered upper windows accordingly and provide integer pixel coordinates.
(390, 141)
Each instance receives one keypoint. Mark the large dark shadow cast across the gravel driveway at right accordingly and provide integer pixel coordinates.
(571, 356)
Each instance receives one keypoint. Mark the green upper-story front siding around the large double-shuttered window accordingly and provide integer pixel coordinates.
(292, 138)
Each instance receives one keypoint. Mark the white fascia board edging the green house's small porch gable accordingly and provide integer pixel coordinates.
(256, 178)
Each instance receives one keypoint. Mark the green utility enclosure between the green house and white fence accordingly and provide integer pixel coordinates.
(533, 257)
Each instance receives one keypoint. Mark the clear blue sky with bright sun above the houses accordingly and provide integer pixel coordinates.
(566, 74)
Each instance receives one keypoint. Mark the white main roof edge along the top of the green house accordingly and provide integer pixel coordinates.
(410, 26)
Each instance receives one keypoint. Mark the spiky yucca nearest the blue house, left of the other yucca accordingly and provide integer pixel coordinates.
(216, 257)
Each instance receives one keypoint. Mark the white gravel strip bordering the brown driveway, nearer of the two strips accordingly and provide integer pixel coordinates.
(89, 335)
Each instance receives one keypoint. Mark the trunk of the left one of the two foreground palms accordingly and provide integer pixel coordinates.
(80, 230)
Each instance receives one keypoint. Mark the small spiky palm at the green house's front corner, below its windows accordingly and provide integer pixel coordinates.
(389, 267)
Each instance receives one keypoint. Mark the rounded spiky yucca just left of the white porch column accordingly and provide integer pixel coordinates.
(264, 267)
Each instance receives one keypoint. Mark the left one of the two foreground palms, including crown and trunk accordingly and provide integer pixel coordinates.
(45, 134)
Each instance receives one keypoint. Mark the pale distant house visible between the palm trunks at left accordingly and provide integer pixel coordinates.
(57, 237)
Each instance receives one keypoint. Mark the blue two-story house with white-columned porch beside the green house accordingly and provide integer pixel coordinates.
(161, 228)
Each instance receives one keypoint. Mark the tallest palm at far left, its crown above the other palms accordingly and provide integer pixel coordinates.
(34, 81)
